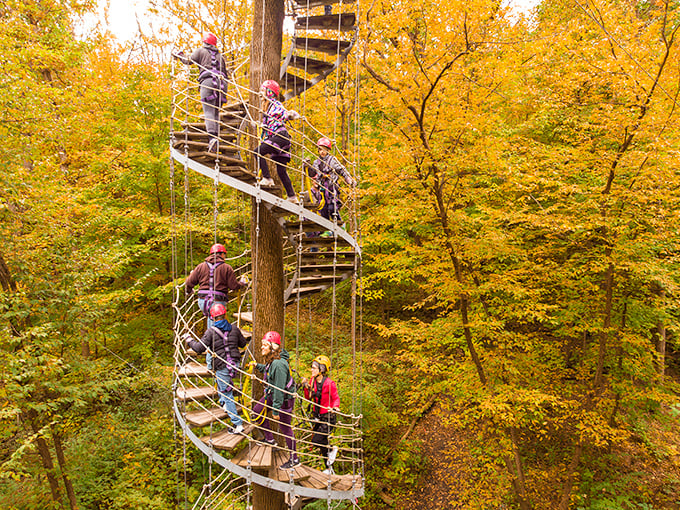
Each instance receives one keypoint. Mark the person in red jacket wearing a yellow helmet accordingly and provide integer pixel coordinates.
(323, 393)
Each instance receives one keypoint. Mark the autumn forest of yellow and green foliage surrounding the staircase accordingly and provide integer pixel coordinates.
(520, 192)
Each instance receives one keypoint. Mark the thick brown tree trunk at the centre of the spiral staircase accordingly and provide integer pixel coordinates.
(266, 235)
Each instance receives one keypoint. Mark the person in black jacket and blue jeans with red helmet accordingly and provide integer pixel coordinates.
(224, 340)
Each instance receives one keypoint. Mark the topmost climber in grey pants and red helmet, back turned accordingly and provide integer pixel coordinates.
(212, 80)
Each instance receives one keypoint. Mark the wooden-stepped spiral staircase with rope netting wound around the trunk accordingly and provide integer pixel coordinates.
(318, 255)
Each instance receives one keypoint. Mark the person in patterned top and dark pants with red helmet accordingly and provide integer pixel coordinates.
(275, 138)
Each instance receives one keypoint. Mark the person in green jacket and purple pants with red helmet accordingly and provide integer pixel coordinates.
(279, 394)
